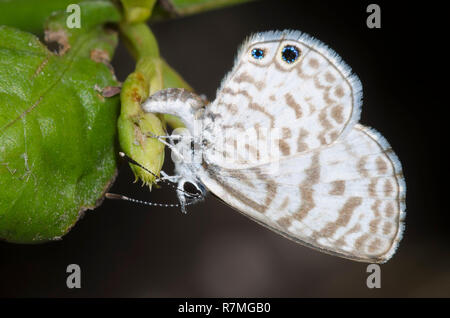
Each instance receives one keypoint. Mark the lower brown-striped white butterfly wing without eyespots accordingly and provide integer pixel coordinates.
(346, 199)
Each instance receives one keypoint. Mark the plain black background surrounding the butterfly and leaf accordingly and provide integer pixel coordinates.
(127, 250)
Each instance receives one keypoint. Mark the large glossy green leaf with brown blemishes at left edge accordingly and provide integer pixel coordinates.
(57, 130)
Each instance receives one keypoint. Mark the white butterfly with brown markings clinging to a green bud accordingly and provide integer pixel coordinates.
(326, 181)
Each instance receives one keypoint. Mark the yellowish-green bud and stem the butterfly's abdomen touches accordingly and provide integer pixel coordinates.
(134, 124)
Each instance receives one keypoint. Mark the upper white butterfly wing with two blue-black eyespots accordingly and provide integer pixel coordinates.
(309, 103)
